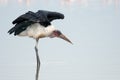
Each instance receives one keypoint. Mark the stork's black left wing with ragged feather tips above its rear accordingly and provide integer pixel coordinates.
(22, 22)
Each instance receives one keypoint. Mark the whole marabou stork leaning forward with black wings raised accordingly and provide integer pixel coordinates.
(37, 25)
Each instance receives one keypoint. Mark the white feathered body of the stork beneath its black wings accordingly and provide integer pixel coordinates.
(36, 30)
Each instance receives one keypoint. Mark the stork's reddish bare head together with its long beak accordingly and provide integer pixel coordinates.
(57, 33)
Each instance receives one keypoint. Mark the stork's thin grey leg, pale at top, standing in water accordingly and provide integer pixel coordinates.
(38, 60)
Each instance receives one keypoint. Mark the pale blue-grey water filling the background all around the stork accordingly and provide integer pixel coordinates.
(92, 25)
